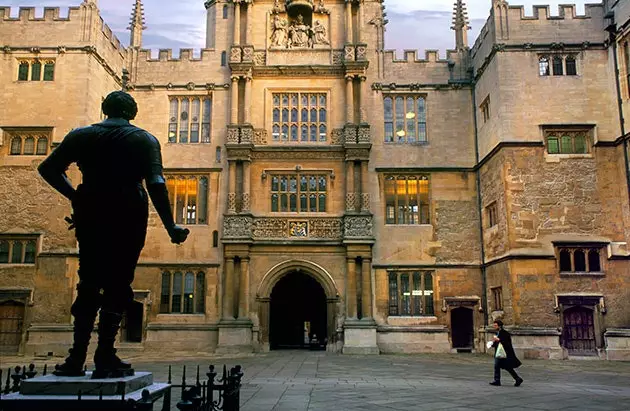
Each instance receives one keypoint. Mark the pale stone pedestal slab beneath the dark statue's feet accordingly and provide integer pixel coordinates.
(82, 393)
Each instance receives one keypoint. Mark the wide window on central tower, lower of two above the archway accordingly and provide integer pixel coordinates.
(299, 193)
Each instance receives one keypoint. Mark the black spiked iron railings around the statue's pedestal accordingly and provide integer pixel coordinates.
(204, 394)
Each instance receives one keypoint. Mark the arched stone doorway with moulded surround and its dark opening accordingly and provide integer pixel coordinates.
(308, 292)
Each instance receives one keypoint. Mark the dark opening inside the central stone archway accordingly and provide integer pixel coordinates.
(298, 312)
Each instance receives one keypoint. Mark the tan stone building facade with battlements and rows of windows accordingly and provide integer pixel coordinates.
(335, 192)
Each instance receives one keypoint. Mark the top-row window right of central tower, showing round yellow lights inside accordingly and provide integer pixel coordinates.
(419, 119)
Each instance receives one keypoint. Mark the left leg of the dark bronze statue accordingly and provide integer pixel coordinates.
(84, 310)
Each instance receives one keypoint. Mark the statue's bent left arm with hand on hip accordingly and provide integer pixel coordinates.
(53, 168)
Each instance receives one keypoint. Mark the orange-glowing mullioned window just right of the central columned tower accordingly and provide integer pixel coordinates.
(407, 199)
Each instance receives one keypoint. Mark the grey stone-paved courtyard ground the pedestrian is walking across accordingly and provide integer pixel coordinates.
(295, 380)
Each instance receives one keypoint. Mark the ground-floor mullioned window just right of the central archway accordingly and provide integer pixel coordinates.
(416, 307)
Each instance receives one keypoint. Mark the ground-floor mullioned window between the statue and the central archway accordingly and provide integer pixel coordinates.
(183, 292)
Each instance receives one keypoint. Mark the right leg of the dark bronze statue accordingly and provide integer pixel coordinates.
(117, 297)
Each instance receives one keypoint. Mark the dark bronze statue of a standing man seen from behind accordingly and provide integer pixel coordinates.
(110, 214)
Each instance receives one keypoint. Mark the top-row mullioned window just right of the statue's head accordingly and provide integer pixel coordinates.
(189, 120)
